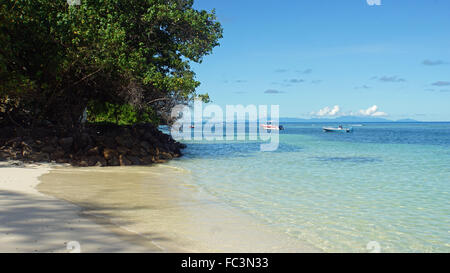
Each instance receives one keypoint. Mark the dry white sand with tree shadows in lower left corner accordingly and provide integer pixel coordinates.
(33, 222)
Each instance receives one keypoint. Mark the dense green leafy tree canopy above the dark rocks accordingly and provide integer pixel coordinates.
(129, 56)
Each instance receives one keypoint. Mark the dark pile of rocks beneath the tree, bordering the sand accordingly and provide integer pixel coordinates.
(94, 145)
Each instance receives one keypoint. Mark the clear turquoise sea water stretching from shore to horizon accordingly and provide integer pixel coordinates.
(387, 183)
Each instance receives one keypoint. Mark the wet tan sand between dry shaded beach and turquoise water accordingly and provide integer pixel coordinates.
(161, 206)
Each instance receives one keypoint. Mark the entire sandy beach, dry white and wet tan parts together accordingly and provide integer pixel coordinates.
(131, 209)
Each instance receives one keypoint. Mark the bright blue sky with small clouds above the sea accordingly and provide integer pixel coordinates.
(306, 55)
